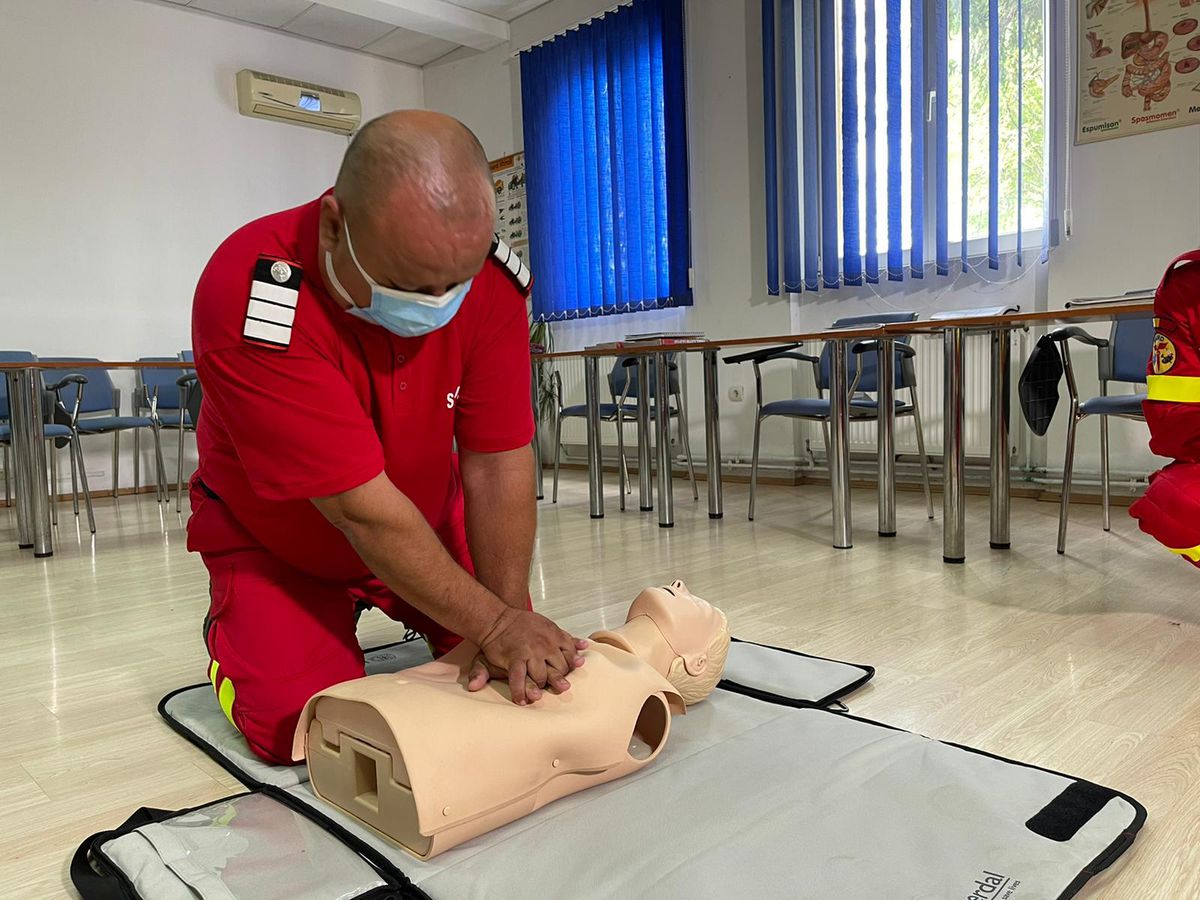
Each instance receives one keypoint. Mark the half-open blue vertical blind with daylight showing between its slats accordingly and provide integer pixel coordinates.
(891, 121)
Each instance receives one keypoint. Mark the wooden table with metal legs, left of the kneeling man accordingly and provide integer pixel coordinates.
(34, 530)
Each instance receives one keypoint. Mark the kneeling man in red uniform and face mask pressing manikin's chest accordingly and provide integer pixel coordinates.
(347, 349)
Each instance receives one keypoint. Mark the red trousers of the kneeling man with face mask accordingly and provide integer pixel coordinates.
(277, 637)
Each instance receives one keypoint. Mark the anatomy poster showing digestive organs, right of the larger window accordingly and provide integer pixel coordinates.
(1139, 67)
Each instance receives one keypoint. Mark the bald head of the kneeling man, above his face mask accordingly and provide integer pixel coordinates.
(416, 191)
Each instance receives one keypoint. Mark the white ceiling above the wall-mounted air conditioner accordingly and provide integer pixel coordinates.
(415, 32)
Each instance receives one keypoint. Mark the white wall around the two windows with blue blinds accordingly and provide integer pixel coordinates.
(1126, 226)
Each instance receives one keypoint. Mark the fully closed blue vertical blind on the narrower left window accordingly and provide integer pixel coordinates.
(607, 163)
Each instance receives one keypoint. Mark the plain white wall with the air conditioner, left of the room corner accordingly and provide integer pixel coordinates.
(124, 163)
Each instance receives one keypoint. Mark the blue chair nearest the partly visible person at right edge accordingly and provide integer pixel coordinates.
(1121, 358)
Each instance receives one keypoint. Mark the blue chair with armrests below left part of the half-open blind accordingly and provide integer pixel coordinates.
(863, 379)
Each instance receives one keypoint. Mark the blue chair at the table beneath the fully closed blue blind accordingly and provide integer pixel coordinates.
(623, 388)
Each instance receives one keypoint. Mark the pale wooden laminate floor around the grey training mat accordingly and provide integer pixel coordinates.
(1088, 664)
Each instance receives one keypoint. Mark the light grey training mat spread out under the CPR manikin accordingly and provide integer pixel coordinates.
(758, 794)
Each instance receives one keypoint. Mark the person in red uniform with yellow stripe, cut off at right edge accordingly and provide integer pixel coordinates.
(1171, 509)
